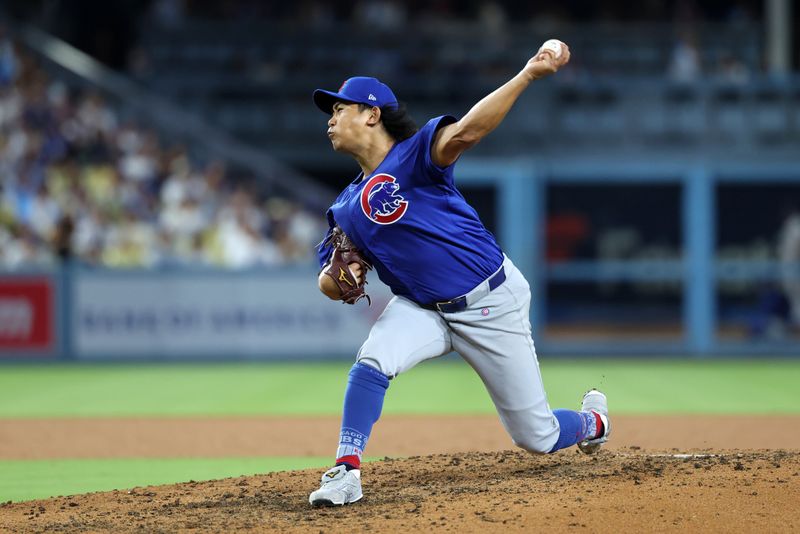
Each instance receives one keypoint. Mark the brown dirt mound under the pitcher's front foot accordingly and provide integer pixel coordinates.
(613, 491)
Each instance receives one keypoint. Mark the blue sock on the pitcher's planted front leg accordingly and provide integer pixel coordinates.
(363, 401)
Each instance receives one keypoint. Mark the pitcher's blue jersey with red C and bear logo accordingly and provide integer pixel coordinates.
(410, 221)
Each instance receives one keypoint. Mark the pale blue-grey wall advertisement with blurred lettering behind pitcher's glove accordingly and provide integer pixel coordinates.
(197, 315)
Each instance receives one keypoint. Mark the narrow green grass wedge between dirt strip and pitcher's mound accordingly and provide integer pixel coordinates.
(39, 479)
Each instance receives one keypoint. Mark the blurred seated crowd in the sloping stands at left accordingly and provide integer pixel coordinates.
(78, 181)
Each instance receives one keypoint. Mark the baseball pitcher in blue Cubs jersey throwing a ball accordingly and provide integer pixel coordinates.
(454, 289)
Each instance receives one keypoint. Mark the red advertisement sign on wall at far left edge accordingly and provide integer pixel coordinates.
(26, 314)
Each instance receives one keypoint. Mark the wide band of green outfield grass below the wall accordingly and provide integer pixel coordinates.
(448, 387)
